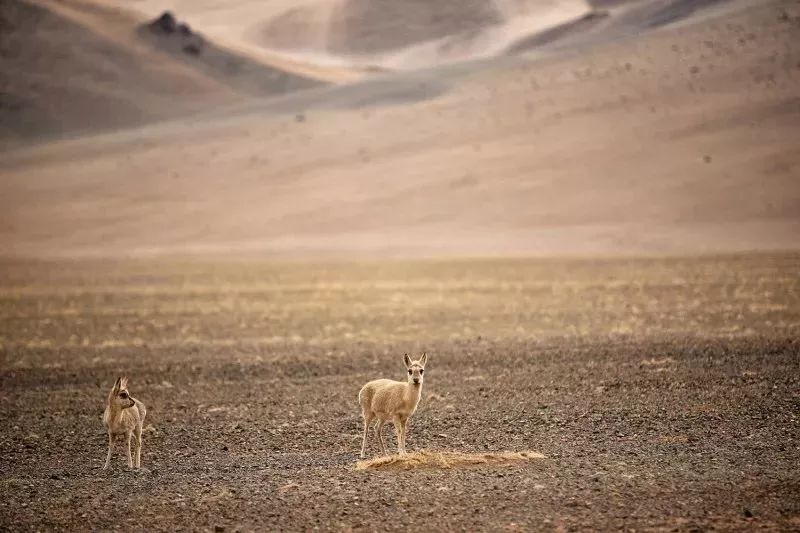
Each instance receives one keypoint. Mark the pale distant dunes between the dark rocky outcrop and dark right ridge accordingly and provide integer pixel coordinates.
(357, 34)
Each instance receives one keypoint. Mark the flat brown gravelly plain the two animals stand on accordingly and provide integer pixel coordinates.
(664, 393)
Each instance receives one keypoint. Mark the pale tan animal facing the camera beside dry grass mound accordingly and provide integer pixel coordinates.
(385, 399)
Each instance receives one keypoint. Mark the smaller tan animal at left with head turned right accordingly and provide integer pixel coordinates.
(124, 415)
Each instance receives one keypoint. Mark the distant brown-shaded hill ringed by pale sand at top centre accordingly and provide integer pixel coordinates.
(414, 33)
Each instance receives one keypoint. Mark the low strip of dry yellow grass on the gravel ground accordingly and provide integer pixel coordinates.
(436, 459)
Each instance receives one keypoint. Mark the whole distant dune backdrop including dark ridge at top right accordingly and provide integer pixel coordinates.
(345, 39)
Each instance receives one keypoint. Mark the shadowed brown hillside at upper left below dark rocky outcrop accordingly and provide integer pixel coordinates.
(72, 68)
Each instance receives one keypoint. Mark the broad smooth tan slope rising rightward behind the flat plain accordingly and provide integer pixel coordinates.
(679, 141)
